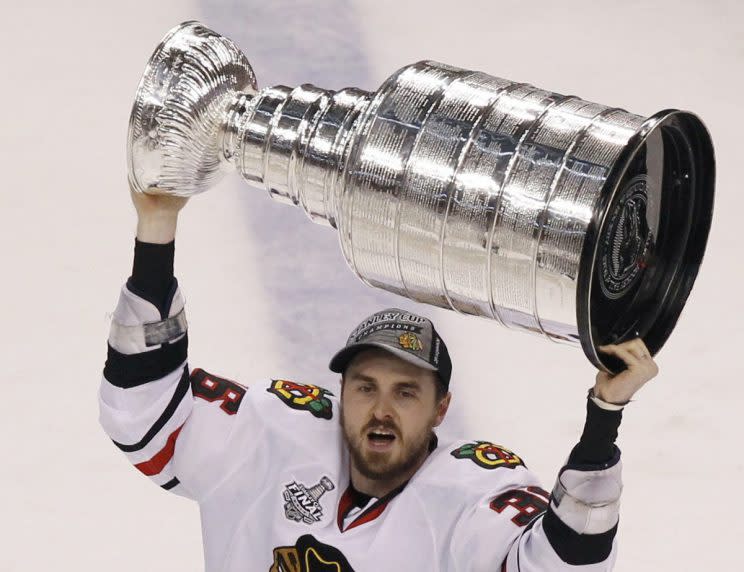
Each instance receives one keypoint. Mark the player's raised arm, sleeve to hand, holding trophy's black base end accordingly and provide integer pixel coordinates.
(574, 527)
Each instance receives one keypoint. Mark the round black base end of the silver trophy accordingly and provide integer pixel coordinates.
(642, 255)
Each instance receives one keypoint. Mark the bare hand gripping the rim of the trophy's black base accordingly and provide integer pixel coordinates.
(640, 368)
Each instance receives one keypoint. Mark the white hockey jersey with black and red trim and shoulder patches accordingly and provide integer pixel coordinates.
(268, 465)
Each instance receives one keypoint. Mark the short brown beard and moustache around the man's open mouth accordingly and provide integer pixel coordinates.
(381, 466)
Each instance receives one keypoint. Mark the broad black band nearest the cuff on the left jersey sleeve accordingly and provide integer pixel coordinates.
(131, 370)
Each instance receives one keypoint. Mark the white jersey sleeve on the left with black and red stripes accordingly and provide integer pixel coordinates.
(174, 425)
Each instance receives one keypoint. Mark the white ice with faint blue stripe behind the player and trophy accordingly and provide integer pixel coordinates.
(268, 292)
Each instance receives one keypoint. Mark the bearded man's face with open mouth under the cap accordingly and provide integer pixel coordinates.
(388, 409)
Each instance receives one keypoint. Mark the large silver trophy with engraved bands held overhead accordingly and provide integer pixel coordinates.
(579, 222)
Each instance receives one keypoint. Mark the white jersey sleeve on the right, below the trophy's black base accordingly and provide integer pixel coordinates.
(522, 528)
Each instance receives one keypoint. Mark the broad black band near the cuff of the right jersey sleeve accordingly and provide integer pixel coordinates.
(574, 548)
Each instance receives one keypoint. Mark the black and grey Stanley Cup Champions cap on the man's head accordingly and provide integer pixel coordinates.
(406, 335)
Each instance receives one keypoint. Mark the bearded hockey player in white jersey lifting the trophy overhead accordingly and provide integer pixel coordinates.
(291, 478)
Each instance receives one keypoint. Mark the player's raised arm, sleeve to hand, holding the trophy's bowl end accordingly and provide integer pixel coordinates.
(173, 424)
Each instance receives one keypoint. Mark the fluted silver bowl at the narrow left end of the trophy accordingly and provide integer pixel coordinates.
(179, 109)
